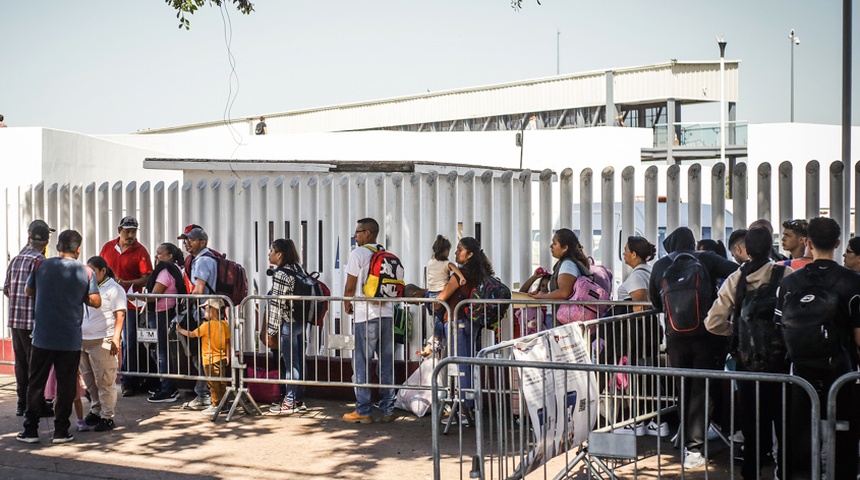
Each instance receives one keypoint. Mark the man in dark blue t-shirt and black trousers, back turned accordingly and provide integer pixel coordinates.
(62, 286)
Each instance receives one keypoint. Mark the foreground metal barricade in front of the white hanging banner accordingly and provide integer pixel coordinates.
(555, 430)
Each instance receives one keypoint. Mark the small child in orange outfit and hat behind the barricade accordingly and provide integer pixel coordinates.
(214, 336)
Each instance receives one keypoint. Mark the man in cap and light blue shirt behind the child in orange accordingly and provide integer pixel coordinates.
(203, 276)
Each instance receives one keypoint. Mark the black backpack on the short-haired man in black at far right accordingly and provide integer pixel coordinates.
(809, 326)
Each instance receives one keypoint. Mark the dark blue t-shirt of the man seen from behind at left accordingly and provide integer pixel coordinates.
(61, 286)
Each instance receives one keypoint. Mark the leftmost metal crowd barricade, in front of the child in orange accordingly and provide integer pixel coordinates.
(155, 349)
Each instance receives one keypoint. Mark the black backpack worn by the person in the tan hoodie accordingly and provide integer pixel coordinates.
(759, 343)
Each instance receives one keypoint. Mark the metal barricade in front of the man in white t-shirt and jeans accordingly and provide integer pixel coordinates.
(327, 349)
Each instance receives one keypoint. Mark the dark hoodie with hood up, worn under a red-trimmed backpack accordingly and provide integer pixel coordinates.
(682, 240)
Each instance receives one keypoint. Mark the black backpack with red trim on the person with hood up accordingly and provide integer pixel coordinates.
(687, 293)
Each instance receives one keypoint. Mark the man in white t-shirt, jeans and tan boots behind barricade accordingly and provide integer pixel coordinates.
(374, 329)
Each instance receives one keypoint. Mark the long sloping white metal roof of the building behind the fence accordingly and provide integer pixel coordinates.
(686, 82)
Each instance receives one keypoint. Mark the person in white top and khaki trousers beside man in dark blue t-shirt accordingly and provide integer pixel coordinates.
(102, 332)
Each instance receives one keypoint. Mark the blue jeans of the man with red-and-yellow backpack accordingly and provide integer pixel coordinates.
(374, 336)
